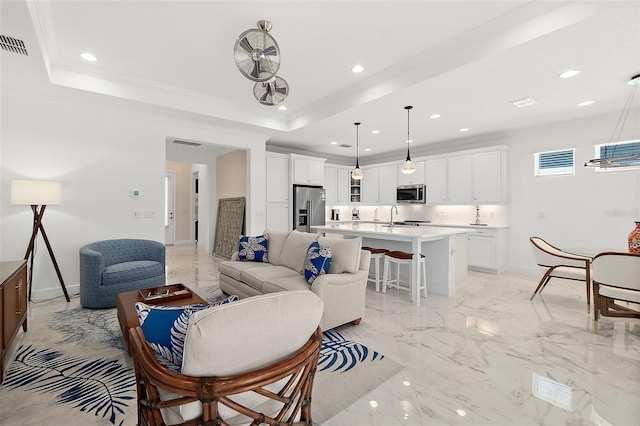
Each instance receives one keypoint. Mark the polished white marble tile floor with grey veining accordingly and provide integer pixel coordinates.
(487, 355)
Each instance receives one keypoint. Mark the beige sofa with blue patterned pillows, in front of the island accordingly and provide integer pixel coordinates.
(342, 289)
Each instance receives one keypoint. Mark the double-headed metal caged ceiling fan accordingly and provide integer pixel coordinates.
(257, 56)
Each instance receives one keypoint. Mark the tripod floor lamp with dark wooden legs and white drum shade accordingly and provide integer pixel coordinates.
(38, 194)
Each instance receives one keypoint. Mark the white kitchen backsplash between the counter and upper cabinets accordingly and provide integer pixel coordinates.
(455, 215)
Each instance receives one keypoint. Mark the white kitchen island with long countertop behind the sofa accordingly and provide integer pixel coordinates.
(444, 249)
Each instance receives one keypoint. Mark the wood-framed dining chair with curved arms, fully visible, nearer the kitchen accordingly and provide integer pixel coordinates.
(557, 263)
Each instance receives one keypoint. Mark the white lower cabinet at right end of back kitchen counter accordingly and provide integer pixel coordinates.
(487, 250)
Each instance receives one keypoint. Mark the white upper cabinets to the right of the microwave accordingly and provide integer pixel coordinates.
(474, 178)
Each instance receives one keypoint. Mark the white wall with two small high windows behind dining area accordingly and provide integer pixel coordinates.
(586, 210)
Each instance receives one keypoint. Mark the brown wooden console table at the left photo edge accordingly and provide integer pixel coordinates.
(13, 303)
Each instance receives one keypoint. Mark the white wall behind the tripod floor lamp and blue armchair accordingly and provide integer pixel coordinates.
(99, 154)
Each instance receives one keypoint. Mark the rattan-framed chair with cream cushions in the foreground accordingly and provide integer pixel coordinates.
(219, 384)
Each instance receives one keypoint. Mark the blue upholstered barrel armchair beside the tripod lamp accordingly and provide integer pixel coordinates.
(113, 266)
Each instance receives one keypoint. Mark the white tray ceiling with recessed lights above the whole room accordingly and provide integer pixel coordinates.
(465, 60)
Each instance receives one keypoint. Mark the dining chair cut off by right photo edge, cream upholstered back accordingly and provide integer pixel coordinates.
(616, 277)
